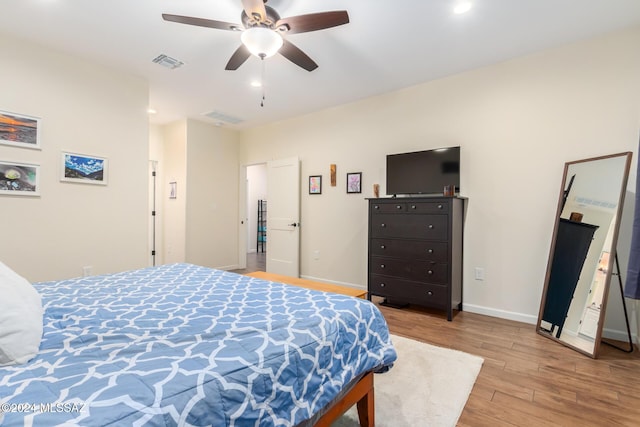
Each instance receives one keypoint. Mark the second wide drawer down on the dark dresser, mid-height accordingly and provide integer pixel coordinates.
(417, 249)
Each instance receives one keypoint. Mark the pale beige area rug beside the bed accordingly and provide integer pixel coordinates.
(427, 386)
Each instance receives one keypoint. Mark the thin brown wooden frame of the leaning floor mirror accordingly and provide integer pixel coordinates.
(614, 241)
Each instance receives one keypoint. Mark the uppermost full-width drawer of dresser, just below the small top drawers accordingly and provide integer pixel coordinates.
(431, 227)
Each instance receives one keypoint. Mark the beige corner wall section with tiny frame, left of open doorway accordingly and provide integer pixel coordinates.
(200, 225)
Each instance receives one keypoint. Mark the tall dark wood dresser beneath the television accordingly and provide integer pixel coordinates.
(415, 251)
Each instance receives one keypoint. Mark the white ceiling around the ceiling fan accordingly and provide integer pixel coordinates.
(387, 45)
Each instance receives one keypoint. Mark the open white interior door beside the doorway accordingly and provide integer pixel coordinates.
(283, 217)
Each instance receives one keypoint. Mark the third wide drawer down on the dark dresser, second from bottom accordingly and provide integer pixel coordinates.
(420, 271)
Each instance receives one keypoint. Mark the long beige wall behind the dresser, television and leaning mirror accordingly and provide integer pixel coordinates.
(517, 123)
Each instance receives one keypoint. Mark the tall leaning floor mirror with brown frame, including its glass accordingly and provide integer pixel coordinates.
(583, 251)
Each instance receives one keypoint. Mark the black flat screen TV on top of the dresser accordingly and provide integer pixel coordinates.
(423, 172)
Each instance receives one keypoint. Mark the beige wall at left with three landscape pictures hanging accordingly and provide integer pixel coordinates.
(88, 109)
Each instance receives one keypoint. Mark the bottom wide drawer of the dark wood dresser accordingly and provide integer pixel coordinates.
(407, 291)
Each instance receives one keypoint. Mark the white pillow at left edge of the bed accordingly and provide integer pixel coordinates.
(20, 318)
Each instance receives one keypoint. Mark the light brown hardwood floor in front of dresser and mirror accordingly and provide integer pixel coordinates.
(526, 379)
